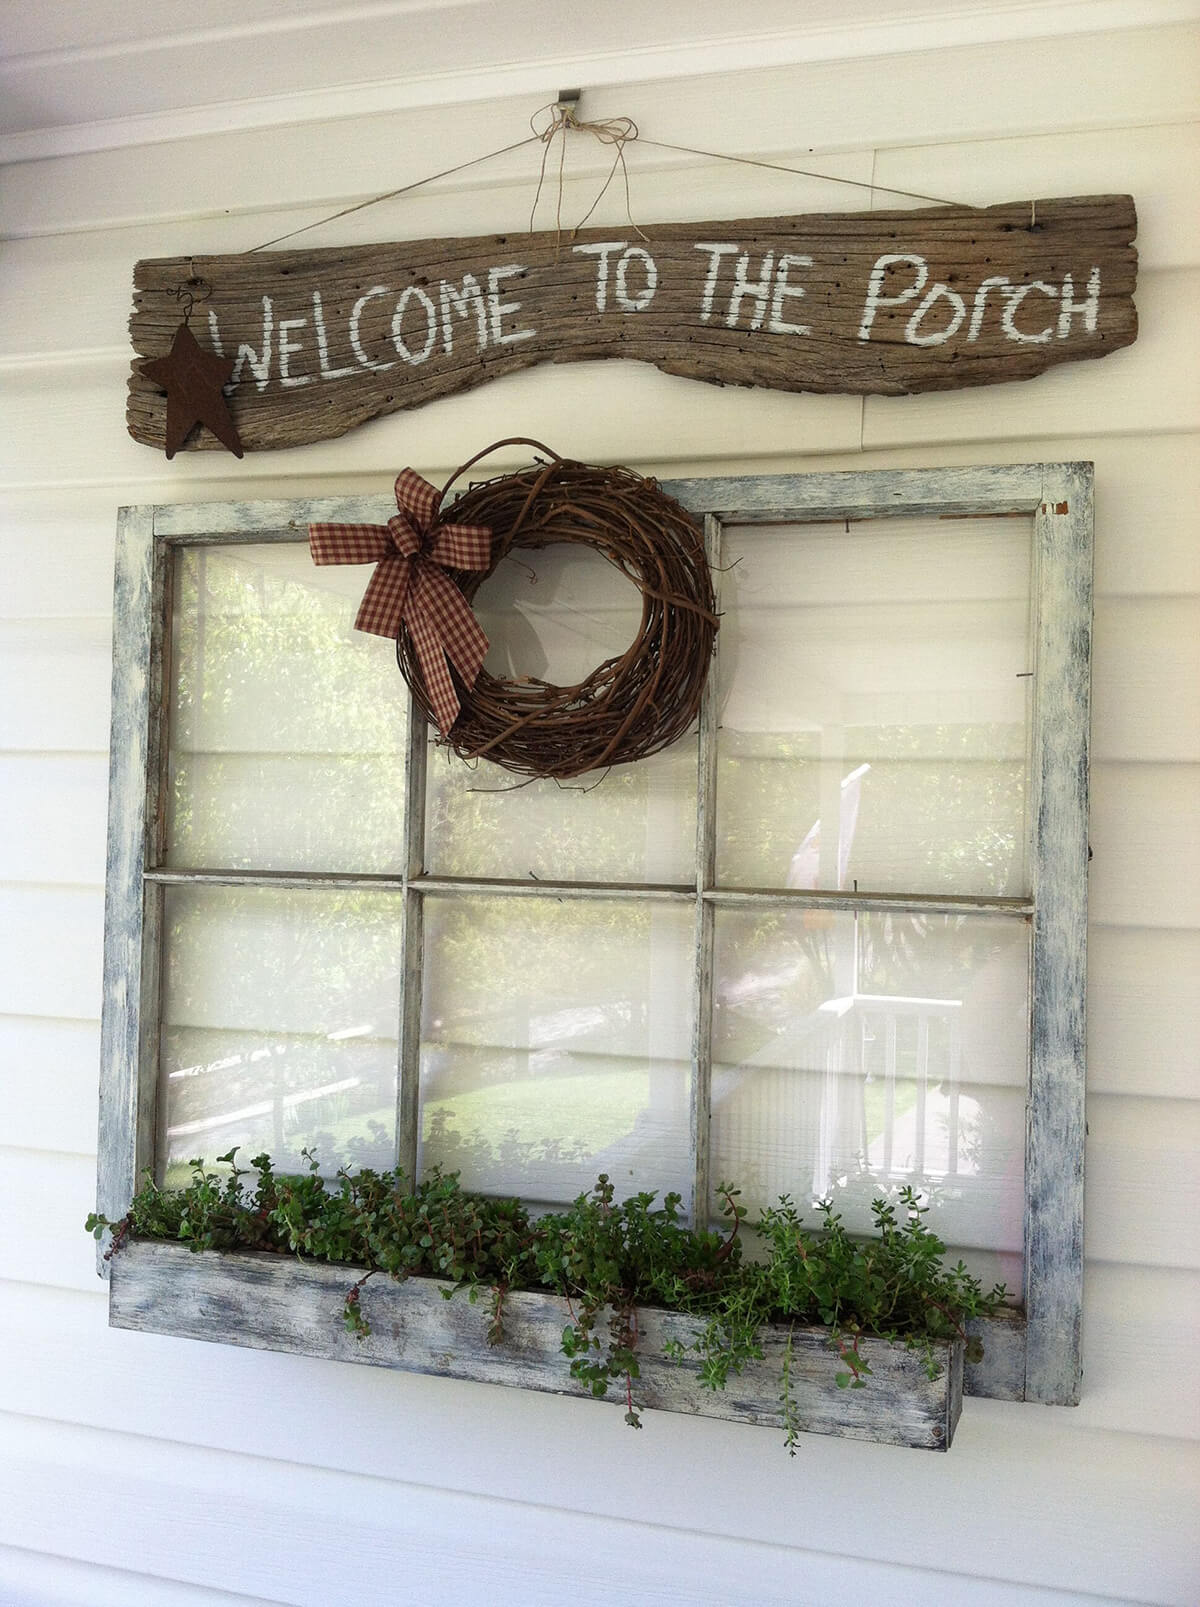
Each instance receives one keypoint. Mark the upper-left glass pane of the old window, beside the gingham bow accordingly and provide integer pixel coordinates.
(288, 726)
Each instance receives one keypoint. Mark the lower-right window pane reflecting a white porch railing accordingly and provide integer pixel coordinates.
(855, 1055)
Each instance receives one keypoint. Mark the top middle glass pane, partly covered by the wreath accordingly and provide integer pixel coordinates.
(635, 824)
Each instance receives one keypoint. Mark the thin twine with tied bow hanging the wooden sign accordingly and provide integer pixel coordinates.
(610, 131)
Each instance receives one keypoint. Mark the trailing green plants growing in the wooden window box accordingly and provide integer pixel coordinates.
(606, 1259)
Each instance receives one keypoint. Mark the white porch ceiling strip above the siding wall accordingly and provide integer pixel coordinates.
(76, 75)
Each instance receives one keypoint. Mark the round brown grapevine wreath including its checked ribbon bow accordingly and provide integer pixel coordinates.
(433, 562)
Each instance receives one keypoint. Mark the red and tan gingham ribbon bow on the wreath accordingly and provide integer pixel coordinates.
(410, 584)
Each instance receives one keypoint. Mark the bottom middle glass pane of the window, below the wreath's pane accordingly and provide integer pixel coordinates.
(557, 1044)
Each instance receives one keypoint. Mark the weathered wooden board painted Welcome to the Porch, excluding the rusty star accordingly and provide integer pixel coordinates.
(859, 303)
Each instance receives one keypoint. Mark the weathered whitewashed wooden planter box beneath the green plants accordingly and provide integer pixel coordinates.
(272, 1302)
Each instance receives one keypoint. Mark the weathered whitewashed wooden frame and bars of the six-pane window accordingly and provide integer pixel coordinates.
(1032, 1354)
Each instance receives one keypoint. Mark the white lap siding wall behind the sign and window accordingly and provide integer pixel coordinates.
(150, 1471)
